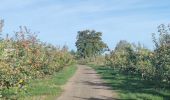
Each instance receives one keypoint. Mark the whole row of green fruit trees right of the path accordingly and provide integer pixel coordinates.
(150, 65)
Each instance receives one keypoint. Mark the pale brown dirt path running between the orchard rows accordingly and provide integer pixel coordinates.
(86, 85)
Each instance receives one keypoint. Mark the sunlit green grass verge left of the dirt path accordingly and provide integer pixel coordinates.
(44, 89)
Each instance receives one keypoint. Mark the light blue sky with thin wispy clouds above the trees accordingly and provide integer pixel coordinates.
(57, 21)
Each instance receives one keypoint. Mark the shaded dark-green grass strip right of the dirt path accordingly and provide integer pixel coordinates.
(131, 87)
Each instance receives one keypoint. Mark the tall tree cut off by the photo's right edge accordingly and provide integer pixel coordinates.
(162, 53)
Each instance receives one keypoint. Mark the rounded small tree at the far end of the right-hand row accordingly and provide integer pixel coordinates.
(124, 57)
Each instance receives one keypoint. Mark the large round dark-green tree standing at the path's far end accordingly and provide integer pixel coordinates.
(89, 44)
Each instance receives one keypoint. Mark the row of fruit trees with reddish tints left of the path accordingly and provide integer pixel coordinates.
(24, 57)
